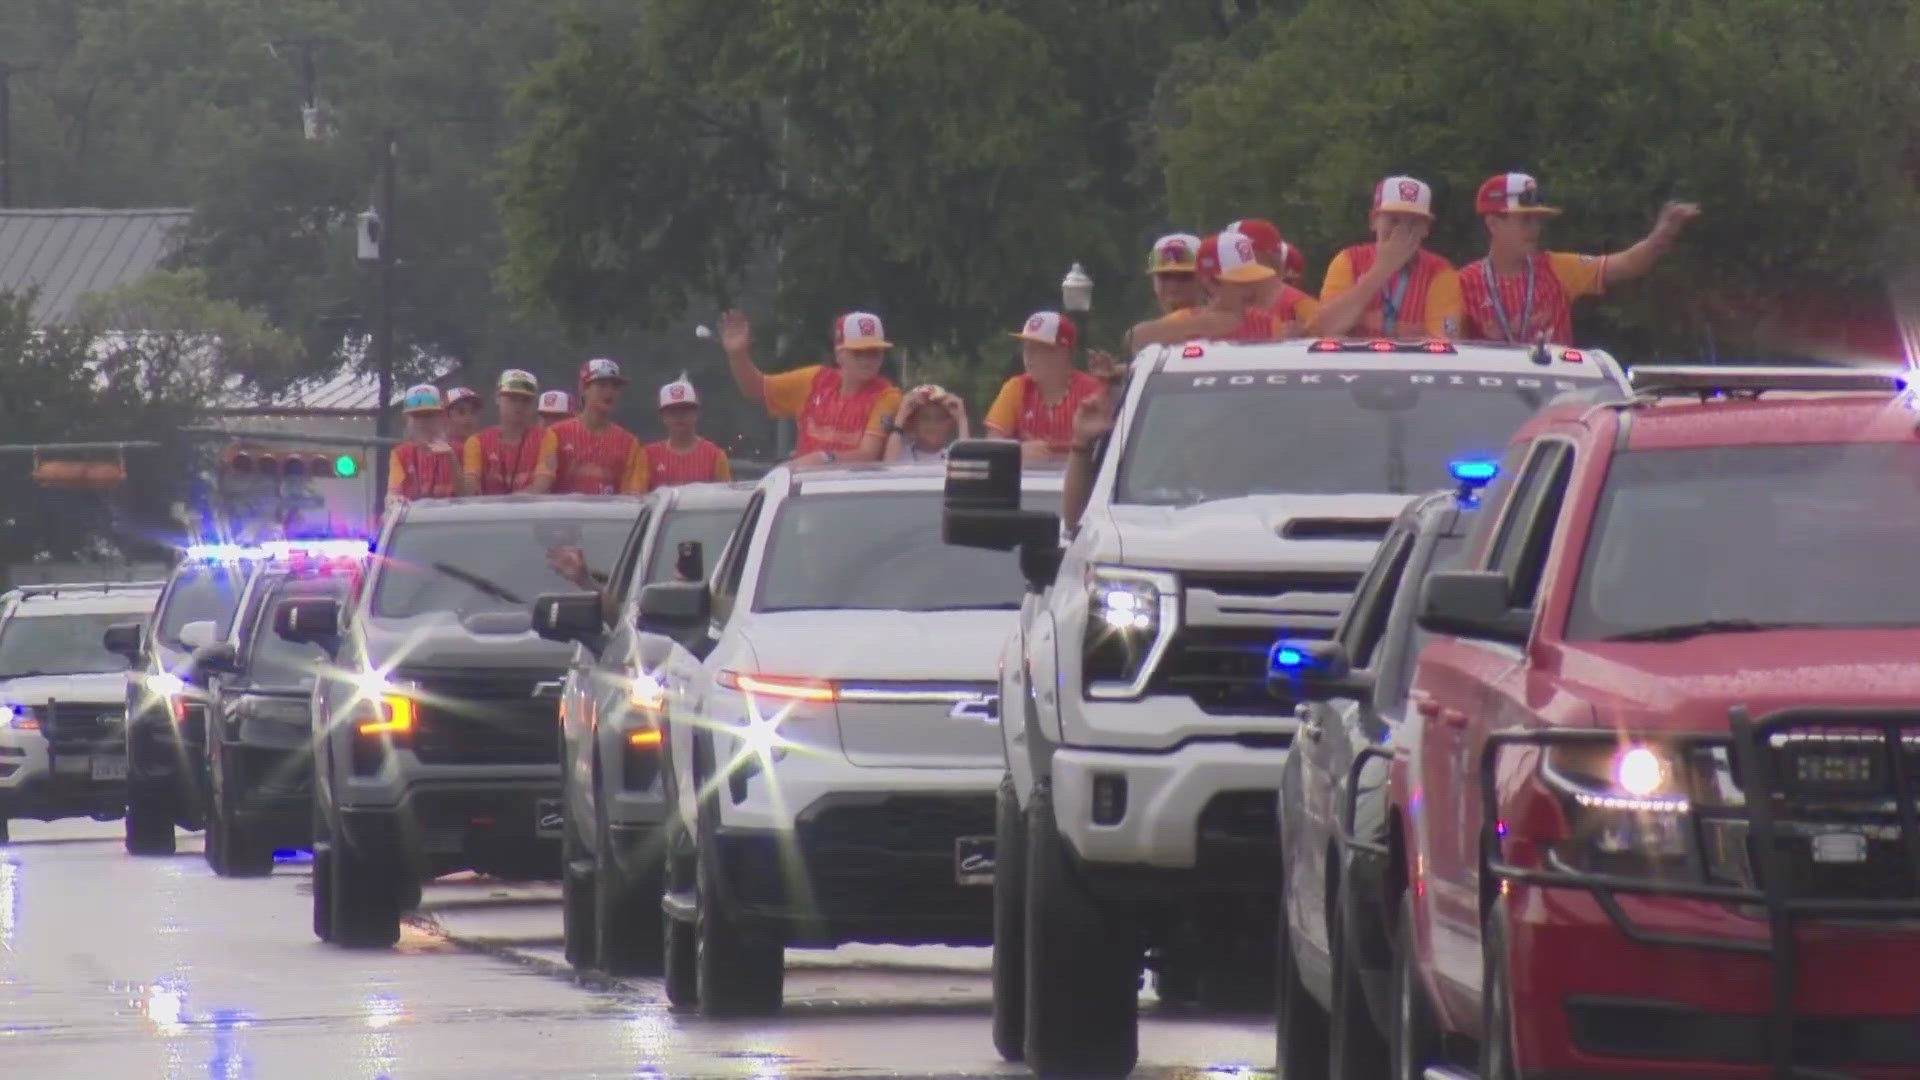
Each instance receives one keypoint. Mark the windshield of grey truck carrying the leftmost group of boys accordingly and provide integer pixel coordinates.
(473, 568)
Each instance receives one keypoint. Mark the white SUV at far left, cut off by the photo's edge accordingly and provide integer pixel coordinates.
(62, 700)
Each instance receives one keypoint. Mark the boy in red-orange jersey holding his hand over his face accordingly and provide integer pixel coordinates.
(1393, 287)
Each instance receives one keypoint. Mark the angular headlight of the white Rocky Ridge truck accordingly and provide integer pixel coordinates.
(1130, 620)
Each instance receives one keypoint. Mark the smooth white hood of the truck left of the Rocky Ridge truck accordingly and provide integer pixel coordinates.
(963, 647)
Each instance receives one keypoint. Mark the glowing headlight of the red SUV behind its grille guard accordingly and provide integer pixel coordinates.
(1623, 810)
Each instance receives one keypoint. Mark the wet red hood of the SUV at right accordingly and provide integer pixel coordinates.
(1691, 685)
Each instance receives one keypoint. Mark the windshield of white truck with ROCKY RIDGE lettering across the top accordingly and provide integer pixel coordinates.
(1339, 431)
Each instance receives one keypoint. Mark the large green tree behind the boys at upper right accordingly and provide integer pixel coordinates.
(1790, 122)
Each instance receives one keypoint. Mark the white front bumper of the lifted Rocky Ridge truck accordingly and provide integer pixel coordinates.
(1207, 808)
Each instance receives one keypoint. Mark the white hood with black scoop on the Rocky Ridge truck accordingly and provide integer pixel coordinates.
(1247, 533)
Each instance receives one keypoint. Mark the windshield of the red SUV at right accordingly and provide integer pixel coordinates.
(1752, 537)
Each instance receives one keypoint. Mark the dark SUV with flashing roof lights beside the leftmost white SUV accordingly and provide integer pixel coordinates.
(166, 716)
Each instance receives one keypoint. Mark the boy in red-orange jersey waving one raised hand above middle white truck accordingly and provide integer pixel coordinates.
(840, 408)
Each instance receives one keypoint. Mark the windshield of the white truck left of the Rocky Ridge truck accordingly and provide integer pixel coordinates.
(882, 552)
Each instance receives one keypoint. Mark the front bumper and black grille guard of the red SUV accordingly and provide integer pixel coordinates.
(1679, 977)
